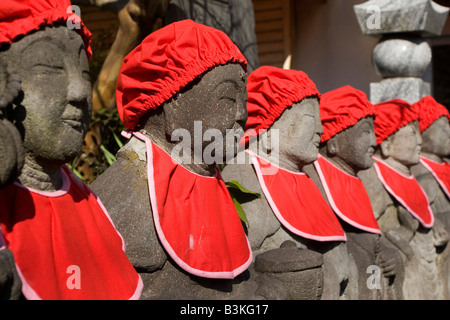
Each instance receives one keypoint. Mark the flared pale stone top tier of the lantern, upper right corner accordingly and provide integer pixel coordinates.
(395, 16)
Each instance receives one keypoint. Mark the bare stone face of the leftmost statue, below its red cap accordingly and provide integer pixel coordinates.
(55, 110)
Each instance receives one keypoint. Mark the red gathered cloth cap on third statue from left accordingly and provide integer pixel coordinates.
(270, 91)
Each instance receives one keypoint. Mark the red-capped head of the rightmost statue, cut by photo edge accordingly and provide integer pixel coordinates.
(434, 126)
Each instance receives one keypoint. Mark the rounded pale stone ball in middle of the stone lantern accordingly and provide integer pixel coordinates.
(401, 58)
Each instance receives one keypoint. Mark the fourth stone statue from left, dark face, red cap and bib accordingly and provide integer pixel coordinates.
(347, 146)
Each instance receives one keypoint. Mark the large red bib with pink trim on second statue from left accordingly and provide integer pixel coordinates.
(195, 218)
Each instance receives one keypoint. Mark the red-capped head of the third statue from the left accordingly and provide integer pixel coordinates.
(285, 101)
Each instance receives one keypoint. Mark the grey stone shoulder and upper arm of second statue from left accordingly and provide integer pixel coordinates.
(123, 190)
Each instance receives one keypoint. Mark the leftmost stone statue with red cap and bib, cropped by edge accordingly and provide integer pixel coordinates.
(51, 222)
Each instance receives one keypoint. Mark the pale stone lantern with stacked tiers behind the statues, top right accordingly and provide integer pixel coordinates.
(401, 56)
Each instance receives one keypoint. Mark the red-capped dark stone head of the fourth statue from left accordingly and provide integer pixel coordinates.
(348, 123)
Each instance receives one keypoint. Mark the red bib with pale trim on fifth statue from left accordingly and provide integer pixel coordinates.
(407, 191)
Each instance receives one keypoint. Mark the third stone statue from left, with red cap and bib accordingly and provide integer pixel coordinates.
(282, 136)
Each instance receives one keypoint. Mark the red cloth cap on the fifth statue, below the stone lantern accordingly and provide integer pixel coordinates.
(392, 115)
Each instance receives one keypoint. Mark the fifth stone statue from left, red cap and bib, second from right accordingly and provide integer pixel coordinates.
(399, 203)
